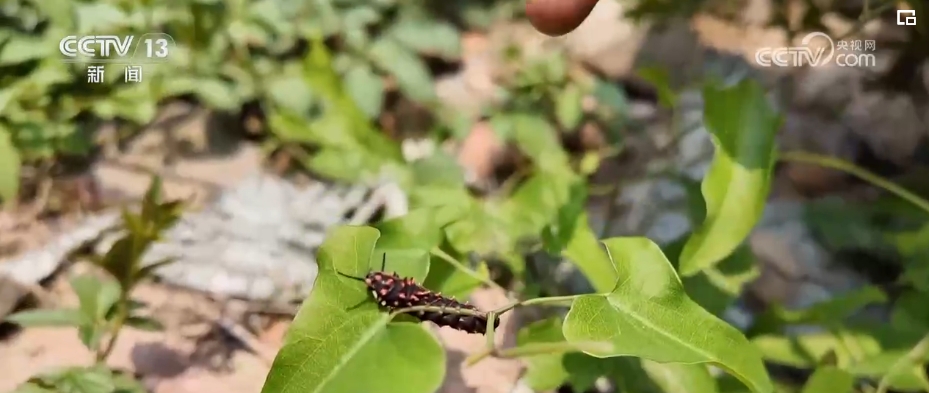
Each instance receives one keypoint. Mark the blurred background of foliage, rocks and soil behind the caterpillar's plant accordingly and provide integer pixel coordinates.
(298, 116)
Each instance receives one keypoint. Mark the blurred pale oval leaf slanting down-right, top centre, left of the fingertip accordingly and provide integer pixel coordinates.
(409, 70)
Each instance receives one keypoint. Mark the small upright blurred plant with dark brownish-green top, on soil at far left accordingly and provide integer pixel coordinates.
(105, 305)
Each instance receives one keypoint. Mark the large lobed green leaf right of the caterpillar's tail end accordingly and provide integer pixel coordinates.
(642, 317)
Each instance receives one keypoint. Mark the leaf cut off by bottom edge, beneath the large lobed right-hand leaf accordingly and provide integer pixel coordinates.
(681, 378)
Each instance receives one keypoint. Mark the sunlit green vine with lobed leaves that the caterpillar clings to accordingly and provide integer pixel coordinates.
(636, 311)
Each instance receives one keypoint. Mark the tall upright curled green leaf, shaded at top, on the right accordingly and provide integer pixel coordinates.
(743, 126)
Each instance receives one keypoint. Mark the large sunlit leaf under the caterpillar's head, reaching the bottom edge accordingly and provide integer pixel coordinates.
(341, 342)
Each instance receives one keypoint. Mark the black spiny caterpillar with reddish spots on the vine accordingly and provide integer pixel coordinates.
(394, 292)
